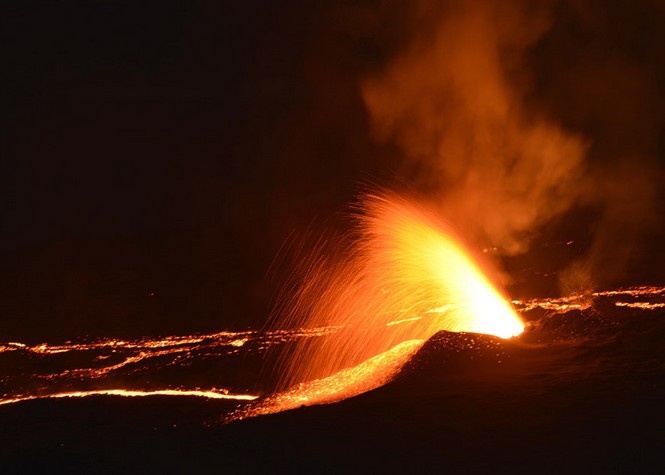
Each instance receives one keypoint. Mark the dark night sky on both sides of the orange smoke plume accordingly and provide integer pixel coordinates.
(155, 156)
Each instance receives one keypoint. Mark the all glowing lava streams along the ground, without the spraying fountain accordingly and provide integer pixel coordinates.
(179, 365)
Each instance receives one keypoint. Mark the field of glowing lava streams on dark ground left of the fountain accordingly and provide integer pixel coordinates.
(145, 367)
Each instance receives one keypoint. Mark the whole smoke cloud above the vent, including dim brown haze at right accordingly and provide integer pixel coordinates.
(514, 114)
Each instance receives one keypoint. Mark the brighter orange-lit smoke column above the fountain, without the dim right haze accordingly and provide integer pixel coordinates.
(454, 100)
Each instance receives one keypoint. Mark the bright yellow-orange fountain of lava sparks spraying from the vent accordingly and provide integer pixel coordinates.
(400, 276)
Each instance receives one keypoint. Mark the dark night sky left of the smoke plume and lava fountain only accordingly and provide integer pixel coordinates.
(157, 155)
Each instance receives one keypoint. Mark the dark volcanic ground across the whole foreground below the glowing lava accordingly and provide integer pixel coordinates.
(578, 392)
